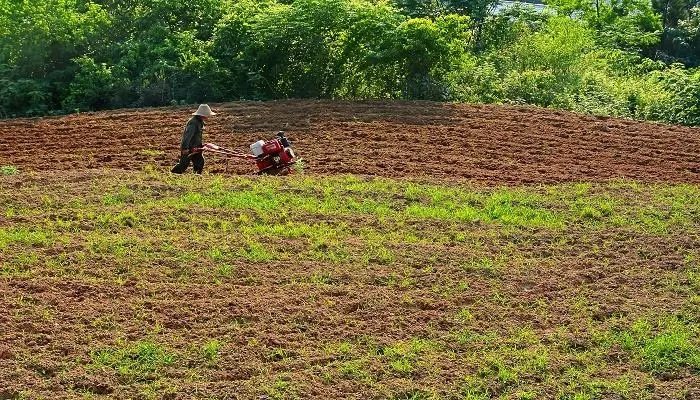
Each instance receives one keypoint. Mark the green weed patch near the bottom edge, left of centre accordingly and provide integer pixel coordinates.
(142, 361)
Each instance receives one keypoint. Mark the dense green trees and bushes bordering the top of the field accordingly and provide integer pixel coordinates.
(632, 58)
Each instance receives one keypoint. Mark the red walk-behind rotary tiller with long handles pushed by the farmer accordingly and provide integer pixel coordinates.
(272, 157)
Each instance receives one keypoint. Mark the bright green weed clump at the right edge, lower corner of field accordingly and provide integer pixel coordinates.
(663, 349)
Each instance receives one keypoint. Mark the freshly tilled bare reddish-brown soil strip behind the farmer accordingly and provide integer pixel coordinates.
(490, 144)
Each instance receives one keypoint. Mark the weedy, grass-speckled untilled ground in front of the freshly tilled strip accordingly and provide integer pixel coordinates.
(148, 286)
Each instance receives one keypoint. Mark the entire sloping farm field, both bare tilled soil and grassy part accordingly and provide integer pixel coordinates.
(427, 251)
